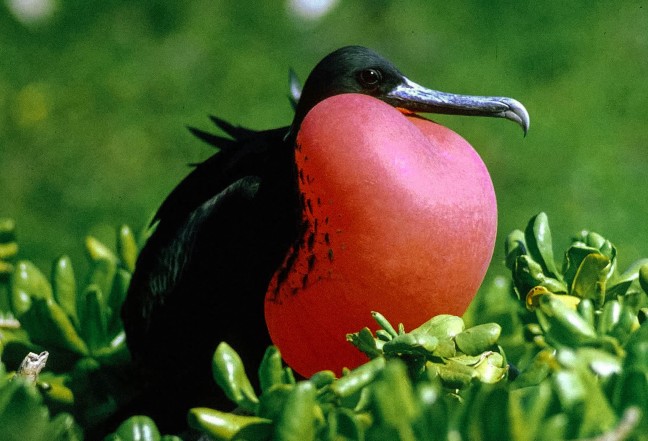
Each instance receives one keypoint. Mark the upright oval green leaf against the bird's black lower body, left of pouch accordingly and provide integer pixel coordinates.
(229, 374)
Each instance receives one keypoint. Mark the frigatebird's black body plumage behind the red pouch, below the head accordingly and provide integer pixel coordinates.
(201, 276)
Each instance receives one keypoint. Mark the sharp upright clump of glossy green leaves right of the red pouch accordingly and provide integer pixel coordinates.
(589, 271)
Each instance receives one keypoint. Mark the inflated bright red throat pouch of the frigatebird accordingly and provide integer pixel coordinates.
(398, 216)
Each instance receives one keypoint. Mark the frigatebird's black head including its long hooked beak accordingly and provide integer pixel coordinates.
(356, 69)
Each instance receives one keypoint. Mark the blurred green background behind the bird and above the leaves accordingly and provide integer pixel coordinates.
(95, 96)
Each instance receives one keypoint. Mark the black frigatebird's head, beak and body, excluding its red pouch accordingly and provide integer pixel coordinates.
(224, 232)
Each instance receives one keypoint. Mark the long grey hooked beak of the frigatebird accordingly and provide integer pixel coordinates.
(416, 98)
